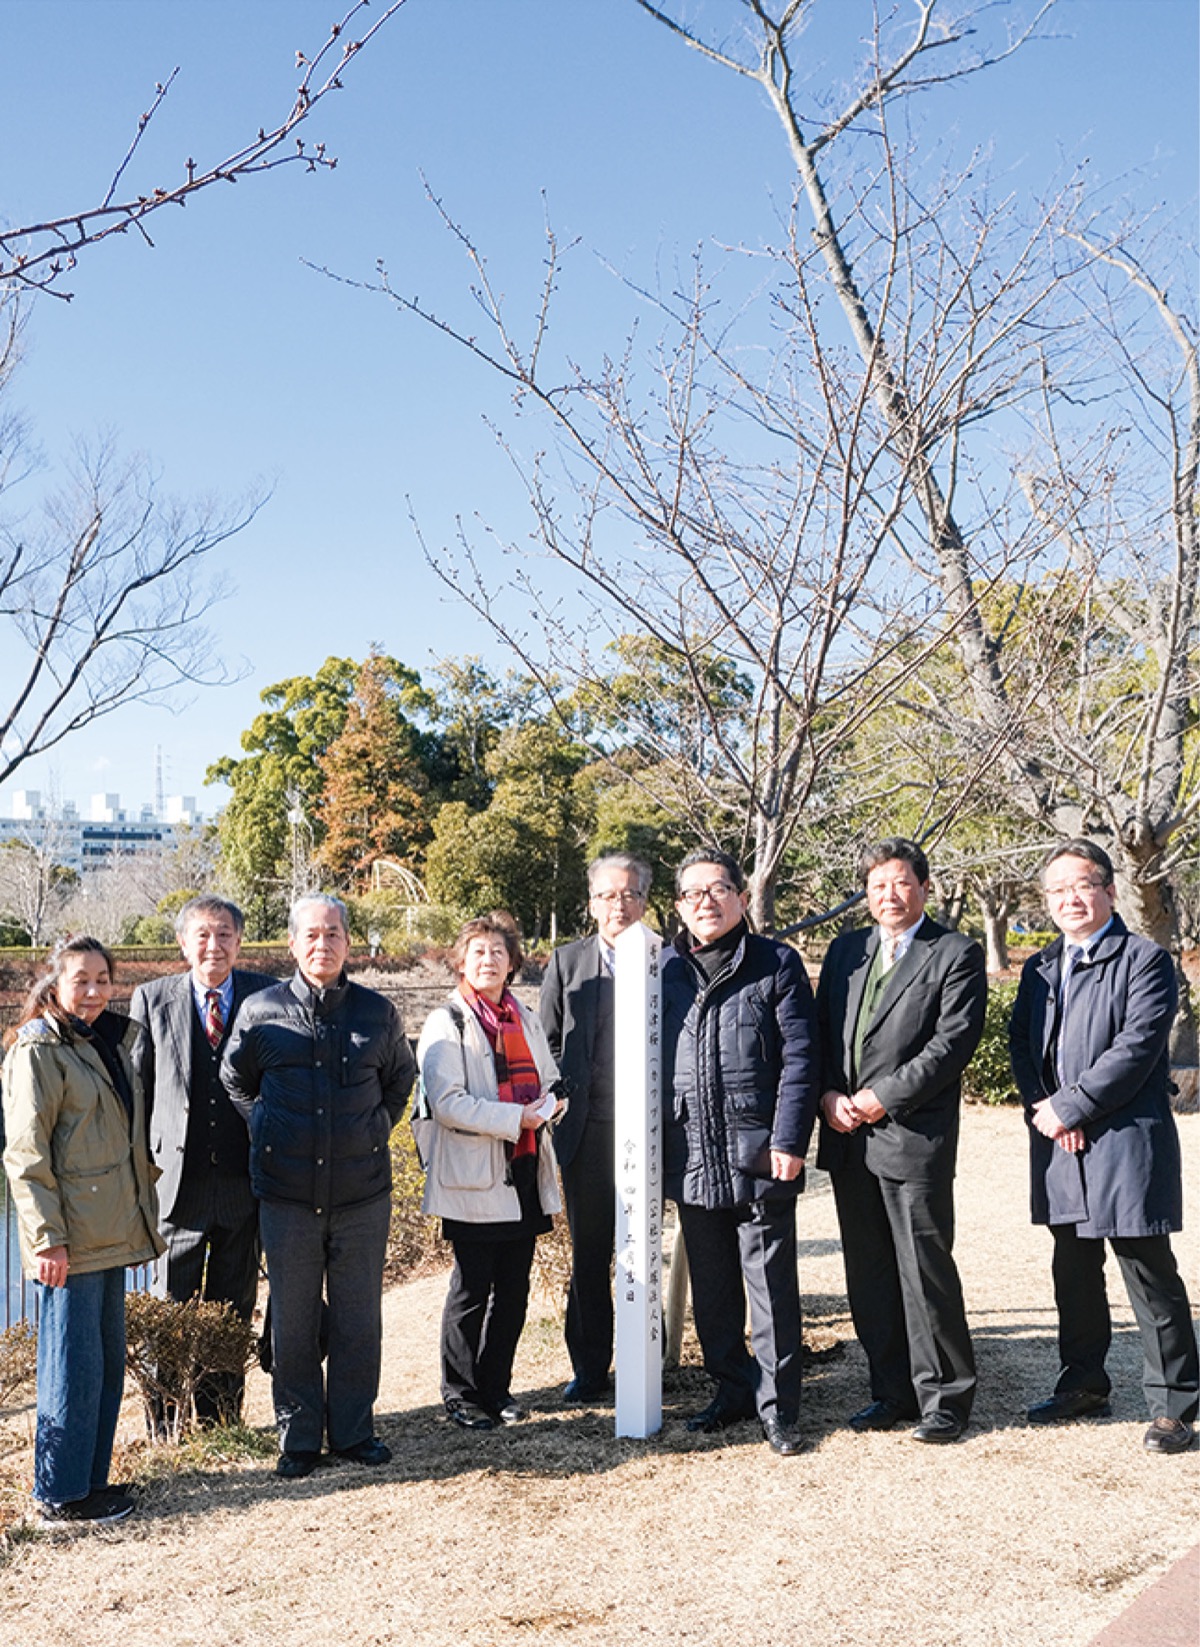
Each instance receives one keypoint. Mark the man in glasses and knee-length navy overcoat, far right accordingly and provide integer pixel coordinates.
(1089, 1035)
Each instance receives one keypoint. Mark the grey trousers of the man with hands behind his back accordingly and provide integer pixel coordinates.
(340, 1256)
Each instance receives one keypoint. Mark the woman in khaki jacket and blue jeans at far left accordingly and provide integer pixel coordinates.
(83, 1187)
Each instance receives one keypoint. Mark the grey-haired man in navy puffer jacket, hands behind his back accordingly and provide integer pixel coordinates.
(322, 1068)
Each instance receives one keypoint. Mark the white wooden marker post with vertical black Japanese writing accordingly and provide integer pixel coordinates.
(640, 1182)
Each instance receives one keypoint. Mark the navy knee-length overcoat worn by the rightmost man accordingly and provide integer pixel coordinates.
(1115, 1086)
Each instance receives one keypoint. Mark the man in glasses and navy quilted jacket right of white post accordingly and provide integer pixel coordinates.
(740, 1081)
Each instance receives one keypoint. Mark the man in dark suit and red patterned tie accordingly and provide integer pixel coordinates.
(208, 1215)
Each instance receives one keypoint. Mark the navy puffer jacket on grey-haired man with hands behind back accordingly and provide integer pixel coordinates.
(322, 1078)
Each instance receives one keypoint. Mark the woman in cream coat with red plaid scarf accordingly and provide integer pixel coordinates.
(491, 1086)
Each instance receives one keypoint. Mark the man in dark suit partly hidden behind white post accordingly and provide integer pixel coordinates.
(577, 1014)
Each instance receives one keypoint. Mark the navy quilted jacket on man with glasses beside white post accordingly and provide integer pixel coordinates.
(740, 1073)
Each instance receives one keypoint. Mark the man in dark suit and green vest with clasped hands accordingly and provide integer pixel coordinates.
(901, 1012)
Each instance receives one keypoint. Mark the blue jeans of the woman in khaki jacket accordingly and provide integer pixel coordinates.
(81, 1376)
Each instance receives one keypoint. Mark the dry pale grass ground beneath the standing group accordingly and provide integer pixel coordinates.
(557, 1533)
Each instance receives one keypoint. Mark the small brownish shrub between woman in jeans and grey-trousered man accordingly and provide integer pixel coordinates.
(172, 1346)
